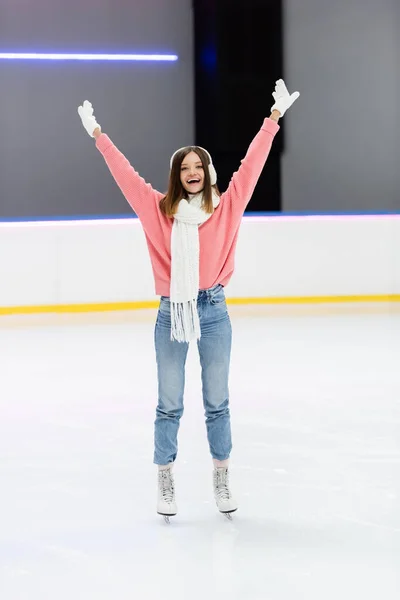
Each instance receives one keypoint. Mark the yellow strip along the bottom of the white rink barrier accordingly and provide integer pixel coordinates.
(120, 306)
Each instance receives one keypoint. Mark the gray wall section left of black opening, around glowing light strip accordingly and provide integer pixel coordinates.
(48, 163)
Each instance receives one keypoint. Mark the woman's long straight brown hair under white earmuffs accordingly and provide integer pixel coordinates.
(176, 191)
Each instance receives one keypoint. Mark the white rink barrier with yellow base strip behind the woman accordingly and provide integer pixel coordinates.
(102, 264)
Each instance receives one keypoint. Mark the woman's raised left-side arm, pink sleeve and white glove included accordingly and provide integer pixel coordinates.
(140, 195)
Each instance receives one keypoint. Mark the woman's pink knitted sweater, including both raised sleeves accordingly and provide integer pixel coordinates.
(218, 236)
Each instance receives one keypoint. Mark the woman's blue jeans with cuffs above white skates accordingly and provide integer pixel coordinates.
(214, 349)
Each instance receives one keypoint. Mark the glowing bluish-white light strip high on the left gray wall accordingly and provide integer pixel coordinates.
(116, 57)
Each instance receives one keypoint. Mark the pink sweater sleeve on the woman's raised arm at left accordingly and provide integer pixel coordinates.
(139, 194)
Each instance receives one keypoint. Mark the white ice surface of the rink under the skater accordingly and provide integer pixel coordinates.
(316, 462)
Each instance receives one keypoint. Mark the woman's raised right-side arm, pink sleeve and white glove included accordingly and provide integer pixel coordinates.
(245, 179)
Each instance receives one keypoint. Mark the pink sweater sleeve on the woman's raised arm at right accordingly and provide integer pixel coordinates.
(244, 180)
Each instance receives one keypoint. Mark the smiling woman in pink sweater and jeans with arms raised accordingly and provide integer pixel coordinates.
(191, 233)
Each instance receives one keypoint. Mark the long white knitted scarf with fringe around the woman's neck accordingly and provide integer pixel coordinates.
(185, 265)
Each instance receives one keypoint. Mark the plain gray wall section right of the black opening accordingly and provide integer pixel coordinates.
(343, 133)
